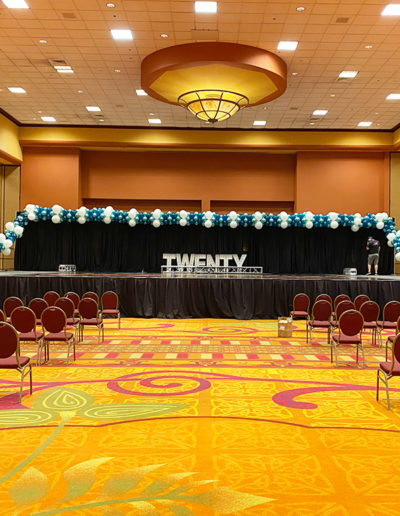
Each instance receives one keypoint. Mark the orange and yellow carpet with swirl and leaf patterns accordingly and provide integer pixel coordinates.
(201, 417)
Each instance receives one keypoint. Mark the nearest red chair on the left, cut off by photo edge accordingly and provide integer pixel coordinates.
(10, 355)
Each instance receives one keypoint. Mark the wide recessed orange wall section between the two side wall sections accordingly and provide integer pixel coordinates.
(188, 176)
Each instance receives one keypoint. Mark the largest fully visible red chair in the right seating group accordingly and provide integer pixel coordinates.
(349, 332)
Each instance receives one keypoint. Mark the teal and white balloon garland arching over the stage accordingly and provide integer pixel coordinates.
(208, 219)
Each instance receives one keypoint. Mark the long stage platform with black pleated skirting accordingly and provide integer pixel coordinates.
(261, 296)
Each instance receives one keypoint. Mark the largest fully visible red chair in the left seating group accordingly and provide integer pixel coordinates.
(54, 321)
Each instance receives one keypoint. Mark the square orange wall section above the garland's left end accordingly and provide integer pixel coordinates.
(49, 176)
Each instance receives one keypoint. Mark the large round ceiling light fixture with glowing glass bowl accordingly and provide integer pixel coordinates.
(214, 80)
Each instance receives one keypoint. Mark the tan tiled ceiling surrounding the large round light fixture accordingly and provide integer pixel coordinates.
(332, 36)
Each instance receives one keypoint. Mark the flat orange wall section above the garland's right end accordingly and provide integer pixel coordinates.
(346, 182)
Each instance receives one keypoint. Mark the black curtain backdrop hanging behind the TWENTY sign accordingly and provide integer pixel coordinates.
(99, 247)
